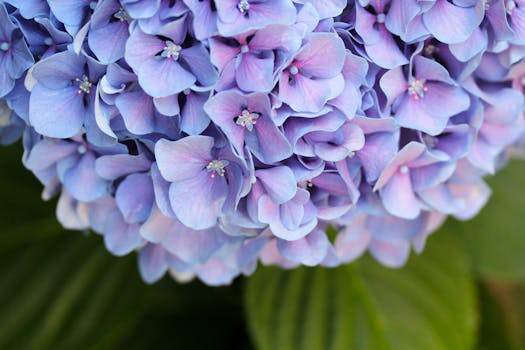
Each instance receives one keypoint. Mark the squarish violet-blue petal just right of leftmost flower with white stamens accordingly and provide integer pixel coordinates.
(137, 112)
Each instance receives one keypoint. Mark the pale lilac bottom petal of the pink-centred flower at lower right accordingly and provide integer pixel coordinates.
(398, 197)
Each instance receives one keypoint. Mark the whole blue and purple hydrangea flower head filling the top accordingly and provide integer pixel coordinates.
(209, 135)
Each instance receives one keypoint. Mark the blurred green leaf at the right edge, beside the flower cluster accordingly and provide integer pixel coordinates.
(495, 239)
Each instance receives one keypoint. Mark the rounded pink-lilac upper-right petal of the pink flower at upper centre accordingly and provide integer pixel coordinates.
(323, 55)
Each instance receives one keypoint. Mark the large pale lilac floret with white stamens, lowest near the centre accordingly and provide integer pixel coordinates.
(202, 182)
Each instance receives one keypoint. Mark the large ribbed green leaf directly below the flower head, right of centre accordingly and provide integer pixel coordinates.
(429, 304)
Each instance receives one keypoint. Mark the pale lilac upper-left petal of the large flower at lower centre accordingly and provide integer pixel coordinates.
(184, 158)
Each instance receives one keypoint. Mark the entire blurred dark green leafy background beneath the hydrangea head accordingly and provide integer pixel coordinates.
(62, 290)
